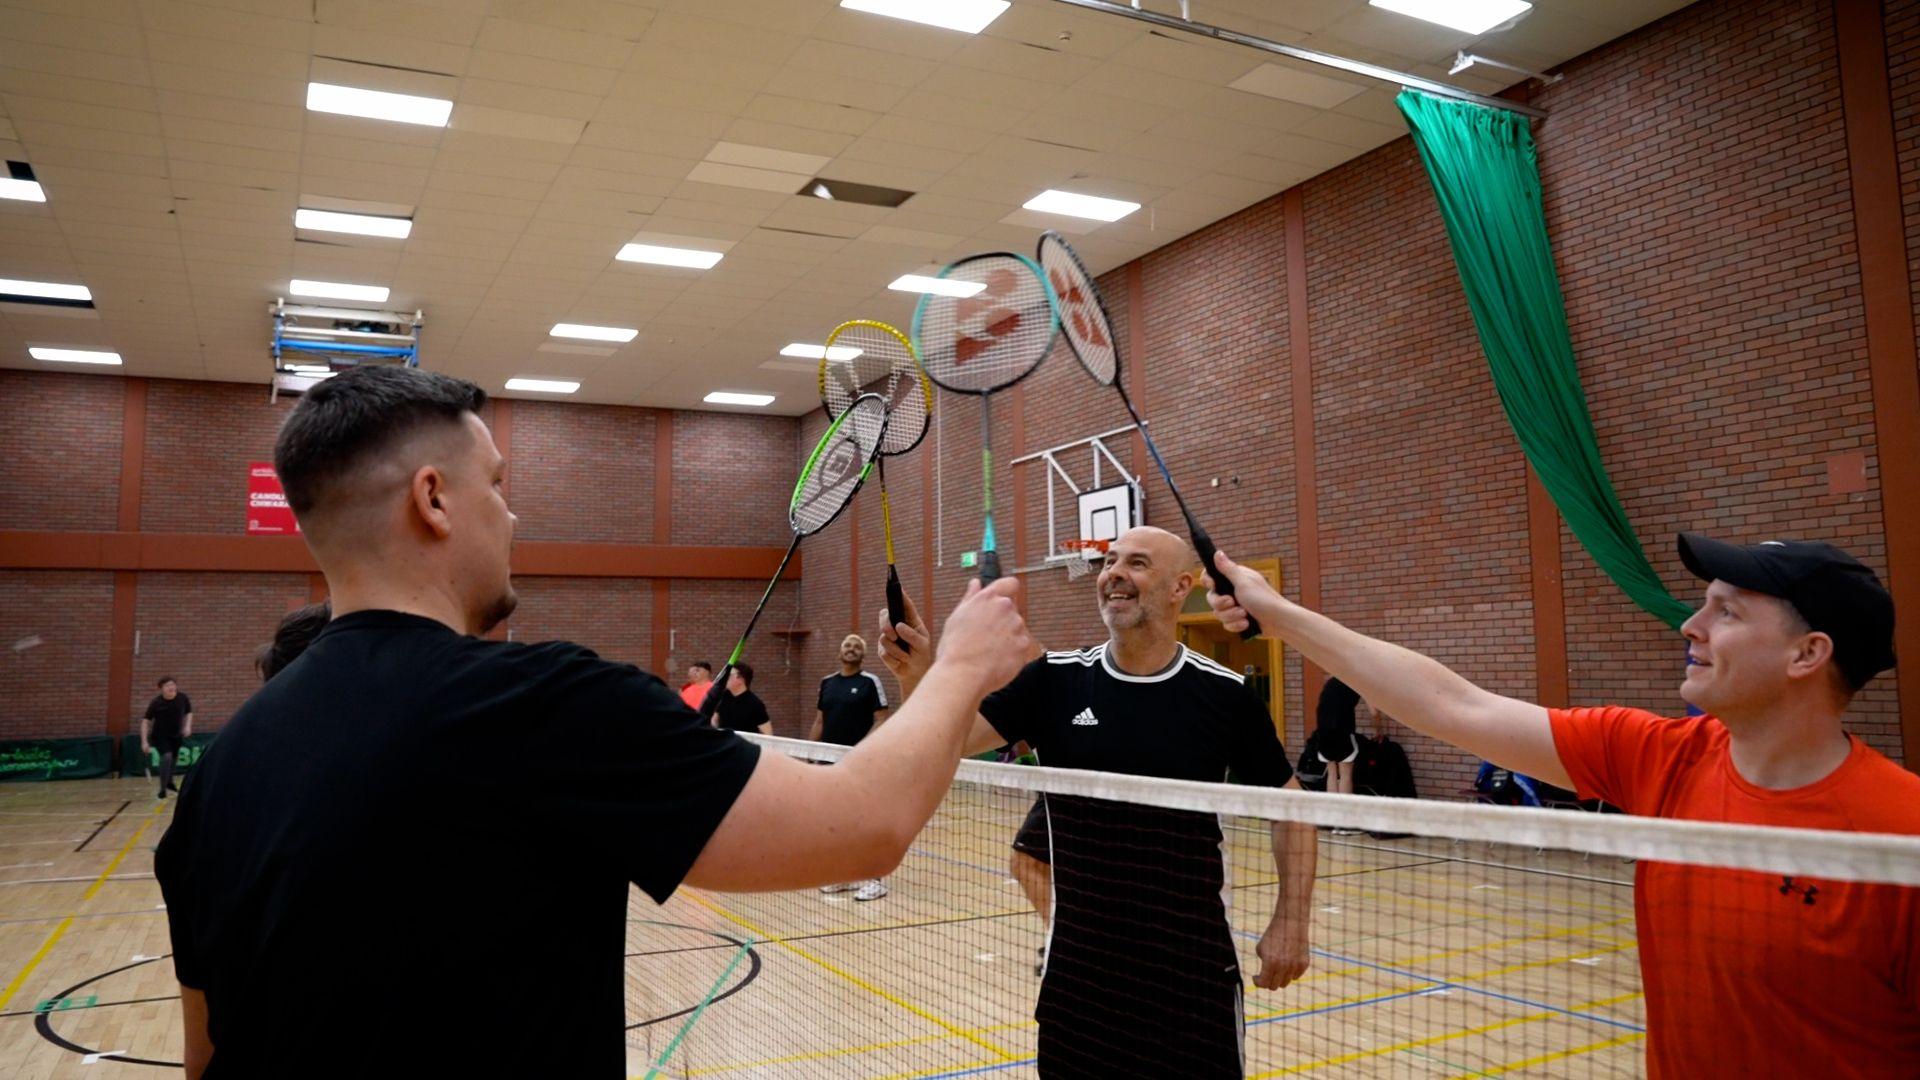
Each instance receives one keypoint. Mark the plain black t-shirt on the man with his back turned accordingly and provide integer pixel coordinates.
(347, 841)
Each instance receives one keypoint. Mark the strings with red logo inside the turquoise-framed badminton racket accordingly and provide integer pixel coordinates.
(994, 339)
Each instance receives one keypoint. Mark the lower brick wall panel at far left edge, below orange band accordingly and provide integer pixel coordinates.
(57, 689)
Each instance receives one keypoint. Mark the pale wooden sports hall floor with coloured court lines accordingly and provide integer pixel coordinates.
(1431, 958)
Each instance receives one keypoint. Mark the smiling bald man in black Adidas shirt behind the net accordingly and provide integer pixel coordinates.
(1141, 970)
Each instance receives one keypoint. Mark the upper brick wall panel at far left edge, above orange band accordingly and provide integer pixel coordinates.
(62, 451)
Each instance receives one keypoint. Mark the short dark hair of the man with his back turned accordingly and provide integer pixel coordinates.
(356, 414)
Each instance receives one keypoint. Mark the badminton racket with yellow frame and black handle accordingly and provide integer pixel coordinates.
(865, 356)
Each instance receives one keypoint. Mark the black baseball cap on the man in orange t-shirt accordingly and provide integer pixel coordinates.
(1833, 591)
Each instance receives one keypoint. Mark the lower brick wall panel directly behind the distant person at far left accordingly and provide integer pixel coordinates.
(203, 629)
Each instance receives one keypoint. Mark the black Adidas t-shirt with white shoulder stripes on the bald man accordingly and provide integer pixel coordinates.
(1140, 893)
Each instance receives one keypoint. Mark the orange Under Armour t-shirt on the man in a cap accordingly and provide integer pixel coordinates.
(1748, 973)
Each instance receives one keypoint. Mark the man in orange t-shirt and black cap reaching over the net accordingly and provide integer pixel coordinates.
(1744, 973)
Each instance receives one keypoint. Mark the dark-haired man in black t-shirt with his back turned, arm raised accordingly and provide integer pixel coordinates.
(329, 848)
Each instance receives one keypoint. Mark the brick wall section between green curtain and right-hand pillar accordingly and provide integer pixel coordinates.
(1704, 230)
